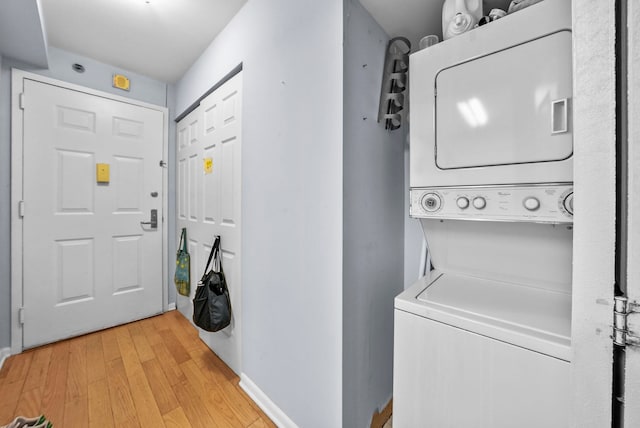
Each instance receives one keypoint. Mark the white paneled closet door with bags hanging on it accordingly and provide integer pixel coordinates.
(209, 196)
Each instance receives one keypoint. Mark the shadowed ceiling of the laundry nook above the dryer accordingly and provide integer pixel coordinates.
(415, 19)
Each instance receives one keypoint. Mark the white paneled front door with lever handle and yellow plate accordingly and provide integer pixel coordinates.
(88, 261)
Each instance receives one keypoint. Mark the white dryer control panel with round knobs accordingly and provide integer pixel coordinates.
(539, 203)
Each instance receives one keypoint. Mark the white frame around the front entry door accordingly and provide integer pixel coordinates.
(17, 119)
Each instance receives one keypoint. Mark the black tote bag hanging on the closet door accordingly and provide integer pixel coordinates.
(212, 305)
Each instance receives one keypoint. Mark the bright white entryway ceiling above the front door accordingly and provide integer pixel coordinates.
(156, 38)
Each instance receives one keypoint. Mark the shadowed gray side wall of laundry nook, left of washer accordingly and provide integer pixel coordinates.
(373, 226)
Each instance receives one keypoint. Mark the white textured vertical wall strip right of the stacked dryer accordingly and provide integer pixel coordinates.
(594, 222)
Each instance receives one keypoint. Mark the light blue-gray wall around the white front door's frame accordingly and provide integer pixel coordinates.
(97, 76)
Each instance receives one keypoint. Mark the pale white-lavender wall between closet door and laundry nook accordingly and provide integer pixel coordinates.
(291, 51)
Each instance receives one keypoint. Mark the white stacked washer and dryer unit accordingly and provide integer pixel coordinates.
(484, 339)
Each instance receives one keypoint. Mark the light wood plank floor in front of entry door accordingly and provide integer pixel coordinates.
(151, 373)
